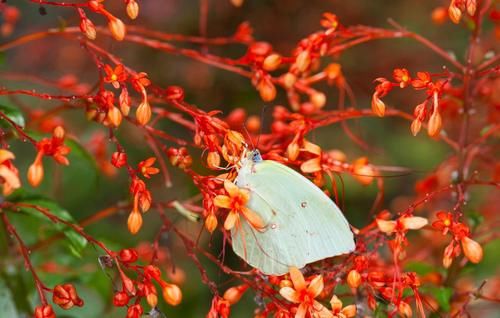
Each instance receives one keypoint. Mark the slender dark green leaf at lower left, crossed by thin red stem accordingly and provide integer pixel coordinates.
(76, 242)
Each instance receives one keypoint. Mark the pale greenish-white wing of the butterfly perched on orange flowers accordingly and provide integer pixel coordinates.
(303, 224)
